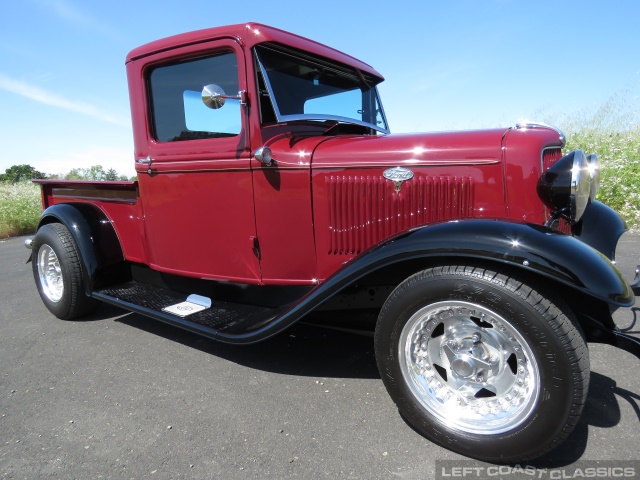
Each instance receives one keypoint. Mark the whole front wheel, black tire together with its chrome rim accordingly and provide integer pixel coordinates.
(482, 363)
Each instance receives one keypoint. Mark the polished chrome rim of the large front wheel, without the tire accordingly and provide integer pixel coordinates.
(469, 367)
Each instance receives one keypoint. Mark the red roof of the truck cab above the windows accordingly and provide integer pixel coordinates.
(249, 35)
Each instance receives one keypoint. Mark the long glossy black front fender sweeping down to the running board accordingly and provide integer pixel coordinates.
(534, 248)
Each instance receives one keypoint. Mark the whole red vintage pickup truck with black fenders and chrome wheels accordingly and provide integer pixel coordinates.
(270, 191)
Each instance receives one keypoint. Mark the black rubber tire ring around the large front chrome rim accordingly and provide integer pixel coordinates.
(555, 396)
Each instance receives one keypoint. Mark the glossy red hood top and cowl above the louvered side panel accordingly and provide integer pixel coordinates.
(471, 148)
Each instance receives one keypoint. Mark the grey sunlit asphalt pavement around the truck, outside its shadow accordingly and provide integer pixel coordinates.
(122, 396)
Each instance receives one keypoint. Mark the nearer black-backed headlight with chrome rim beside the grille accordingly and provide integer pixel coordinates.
(567, 186)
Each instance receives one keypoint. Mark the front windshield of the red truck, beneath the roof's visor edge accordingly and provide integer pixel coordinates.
(299, 86)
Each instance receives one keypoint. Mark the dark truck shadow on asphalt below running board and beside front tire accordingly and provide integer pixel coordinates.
(306, 350)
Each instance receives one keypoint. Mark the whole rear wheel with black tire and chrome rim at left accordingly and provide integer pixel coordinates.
(57, 270)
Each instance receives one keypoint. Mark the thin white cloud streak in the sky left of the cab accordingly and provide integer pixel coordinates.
(37, 94)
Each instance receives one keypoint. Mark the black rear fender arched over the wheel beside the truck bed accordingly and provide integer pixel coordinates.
(93, 233)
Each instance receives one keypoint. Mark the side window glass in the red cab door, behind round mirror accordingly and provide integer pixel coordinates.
(176, 105)
